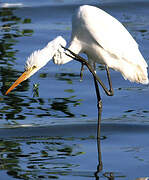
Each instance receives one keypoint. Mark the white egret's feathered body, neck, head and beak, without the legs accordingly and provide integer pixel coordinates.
(102, 38)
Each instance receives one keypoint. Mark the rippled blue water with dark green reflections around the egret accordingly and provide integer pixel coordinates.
(53, 135)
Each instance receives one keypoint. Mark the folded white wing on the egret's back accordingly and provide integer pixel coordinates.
(112, 36)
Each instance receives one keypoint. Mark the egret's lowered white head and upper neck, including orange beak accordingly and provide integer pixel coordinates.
(38, 59)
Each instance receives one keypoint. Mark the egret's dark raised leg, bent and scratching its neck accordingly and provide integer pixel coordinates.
(84, 62)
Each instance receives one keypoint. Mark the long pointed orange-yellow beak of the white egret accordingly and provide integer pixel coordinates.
(23, 77)
